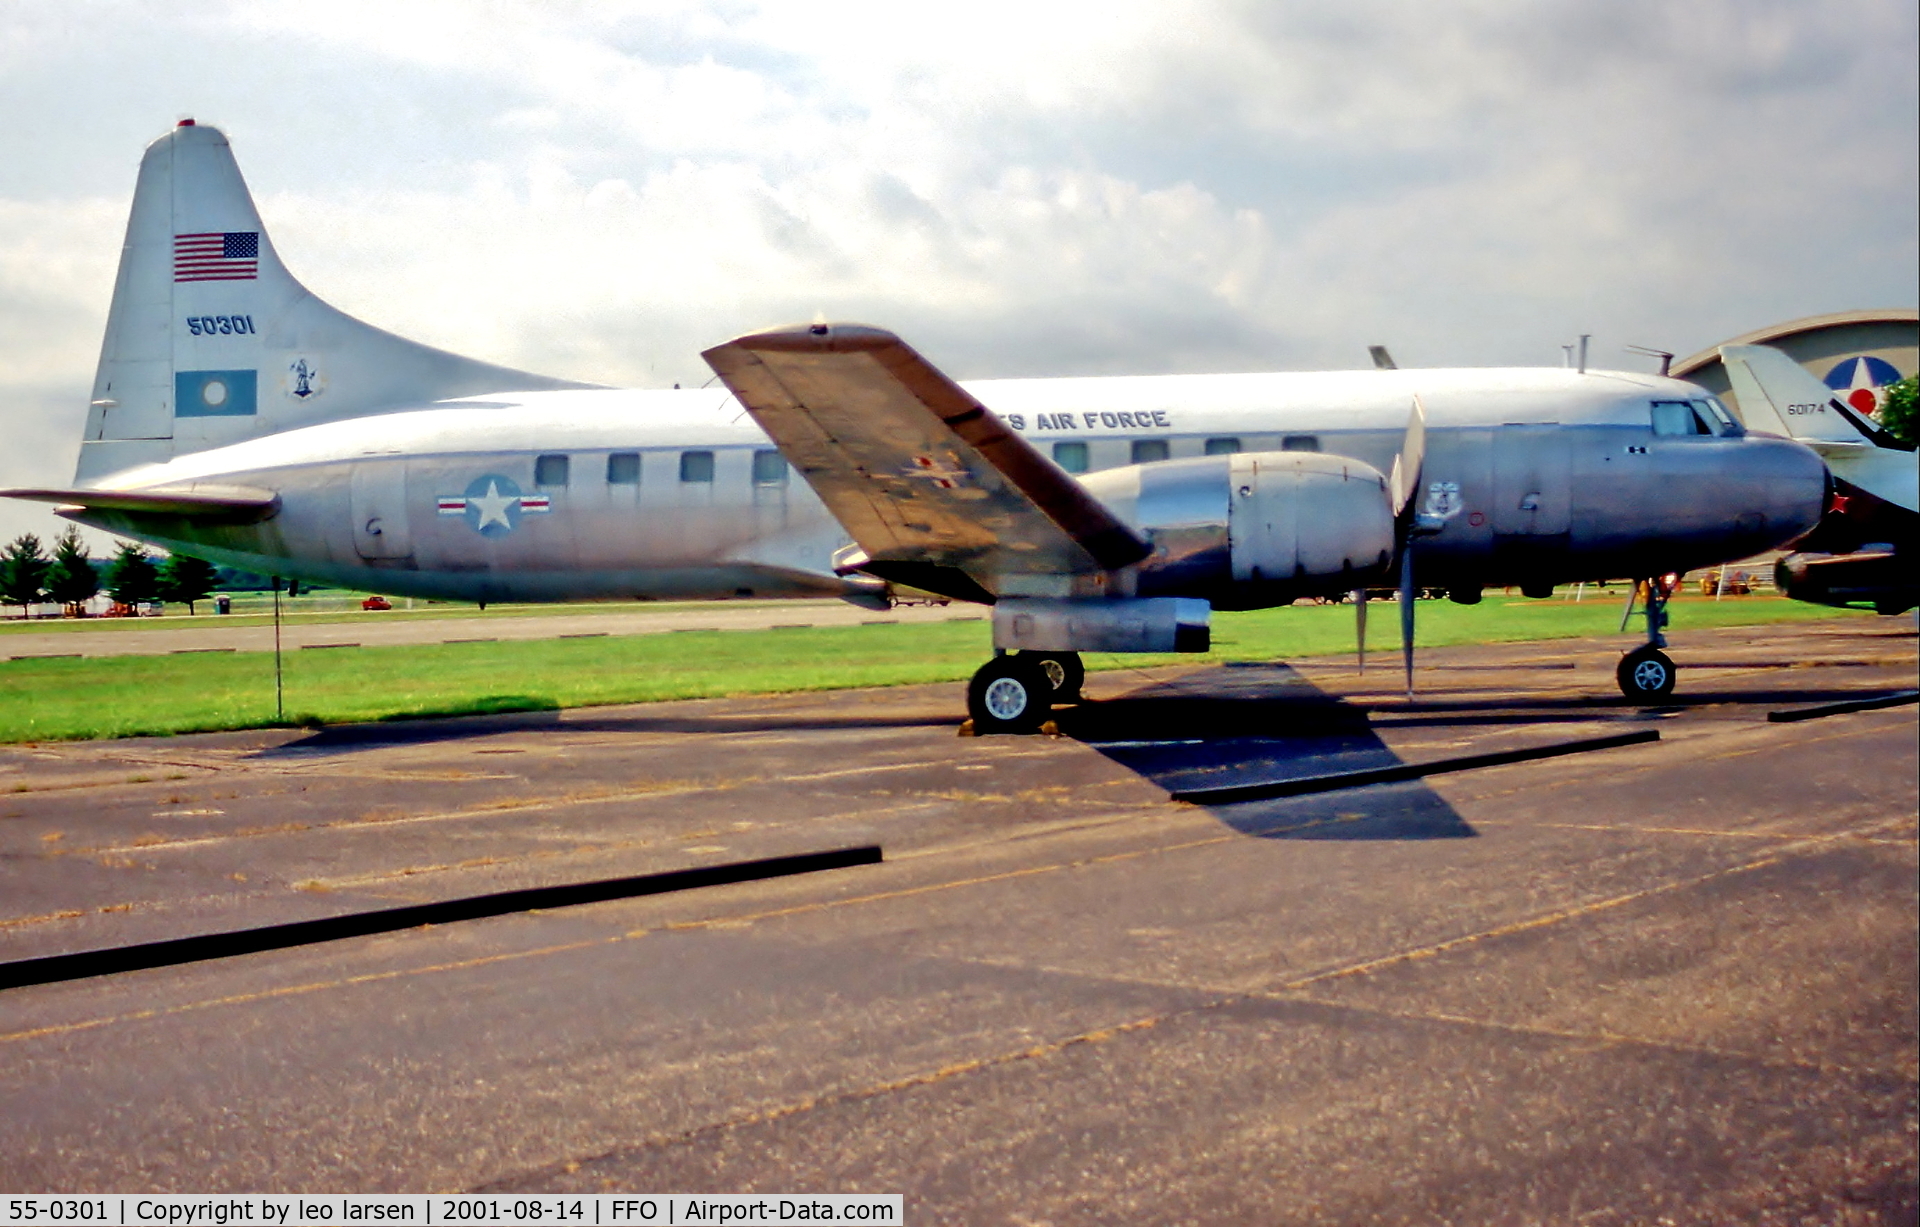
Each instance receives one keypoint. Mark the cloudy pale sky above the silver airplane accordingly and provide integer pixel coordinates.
(1017, 187)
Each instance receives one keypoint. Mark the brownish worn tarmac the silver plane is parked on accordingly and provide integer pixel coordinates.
(1669, 982)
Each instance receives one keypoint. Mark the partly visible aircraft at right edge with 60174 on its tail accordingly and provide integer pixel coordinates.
(1863, 552)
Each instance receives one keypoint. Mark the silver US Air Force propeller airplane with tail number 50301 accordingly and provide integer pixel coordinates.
(241, 420)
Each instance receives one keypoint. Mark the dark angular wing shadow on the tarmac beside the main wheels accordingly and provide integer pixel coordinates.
(1257, 725)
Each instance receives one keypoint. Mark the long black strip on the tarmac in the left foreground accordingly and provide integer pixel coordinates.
(203, 948)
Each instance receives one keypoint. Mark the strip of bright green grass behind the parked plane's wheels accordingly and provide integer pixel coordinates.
(156, 696)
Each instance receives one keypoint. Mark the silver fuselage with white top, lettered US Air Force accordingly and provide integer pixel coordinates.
(1535, 477)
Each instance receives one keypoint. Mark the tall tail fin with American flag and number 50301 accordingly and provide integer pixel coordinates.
(212, 341)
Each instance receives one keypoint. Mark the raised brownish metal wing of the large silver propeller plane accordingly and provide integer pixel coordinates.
(924, 477)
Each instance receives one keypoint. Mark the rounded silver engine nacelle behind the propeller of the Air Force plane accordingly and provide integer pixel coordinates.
(1255, 529)
